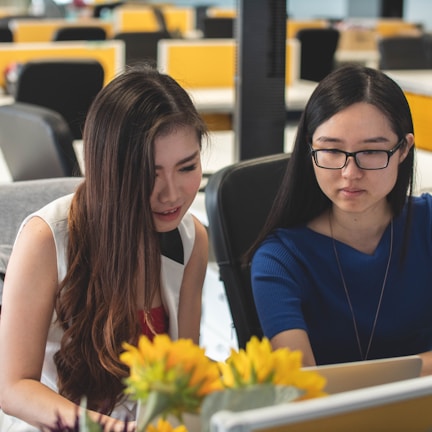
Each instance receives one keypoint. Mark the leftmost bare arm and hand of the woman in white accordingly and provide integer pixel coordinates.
(28, 304)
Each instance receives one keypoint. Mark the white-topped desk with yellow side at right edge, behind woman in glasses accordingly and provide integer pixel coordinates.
(417, 86)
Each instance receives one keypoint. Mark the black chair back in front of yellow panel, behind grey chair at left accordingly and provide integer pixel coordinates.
(65, 86)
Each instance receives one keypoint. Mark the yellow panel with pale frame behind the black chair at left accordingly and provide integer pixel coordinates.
(108, 54)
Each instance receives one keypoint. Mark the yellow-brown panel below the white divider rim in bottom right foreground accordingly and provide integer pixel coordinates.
(413, 416)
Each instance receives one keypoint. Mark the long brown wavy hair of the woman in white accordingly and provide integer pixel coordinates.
(112, 238)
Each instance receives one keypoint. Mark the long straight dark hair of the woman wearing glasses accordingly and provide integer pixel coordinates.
(300, 199)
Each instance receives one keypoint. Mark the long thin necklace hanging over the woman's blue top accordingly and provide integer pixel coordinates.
(363, 357)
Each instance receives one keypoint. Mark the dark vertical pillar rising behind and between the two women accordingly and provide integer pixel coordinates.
(259, 115)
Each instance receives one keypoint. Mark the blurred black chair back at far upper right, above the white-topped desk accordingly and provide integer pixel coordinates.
(403, 52)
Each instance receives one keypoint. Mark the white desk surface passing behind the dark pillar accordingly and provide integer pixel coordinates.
(222, 100)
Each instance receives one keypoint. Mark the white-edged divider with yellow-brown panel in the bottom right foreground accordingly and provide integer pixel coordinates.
(400, 406)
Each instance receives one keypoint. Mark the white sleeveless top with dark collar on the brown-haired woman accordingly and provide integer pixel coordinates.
(55, 215)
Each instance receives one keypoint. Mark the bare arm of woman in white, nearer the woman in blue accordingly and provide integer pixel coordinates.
(191, 289)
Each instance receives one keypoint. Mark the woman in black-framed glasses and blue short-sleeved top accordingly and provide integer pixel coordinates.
(342, 270)
